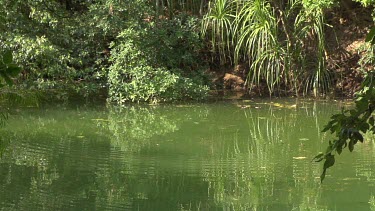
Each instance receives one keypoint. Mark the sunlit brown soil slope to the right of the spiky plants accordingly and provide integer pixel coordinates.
(345, 43)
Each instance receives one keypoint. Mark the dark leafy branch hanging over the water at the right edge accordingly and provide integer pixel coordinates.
(350, 125)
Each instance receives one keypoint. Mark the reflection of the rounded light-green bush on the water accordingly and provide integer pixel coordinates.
(133, 127)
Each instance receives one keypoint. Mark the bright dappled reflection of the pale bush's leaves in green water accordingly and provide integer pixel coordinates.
(138, 126)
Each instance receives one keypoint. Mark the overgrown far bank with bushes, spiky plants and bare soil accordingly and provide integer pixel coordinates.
(174, 54)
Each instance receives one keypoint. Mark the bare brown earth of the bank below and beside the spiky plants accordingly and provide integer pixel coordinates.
(347, 55)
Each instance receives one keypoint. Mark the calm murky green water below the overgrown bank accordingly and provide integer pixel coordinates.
(215, 156)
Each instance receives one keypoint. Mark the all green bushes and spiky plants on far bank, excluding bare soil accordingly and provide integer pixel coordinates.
(152, 50)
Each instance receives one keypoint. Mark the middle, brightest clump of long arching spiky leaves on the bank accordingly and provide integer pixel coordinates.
(257, 28)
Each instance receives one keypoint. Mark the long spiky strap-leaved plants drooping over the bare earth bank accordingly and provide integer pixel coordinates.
(282, 42)
